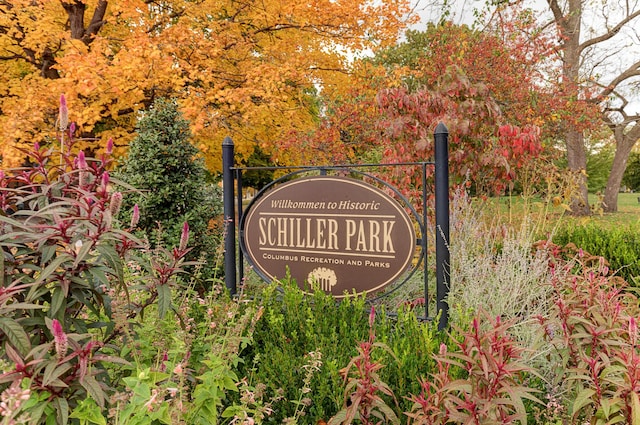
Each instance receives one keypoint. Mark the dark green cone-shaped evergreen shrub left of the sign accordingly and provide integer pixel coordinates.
(170, 182)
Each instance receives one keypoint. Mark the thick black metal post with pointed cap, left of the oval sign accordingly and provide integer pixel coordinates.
(229, 216)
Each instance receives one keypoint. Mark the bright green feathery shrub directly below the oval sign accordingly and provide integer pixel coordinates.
(294, 325)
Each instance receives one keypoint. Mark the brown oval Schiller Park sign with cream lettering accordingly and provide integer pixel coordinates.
(335, 234)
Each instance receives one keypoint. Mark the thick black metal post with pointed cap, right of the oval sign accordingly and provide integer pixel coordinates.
(441, 153)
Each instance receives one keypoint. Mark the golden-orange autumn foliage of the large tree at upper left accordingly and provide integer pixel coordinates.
(240, 68)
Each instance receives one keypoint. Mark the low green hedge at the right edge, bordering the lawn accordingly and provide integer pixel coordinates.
(619, 246)
